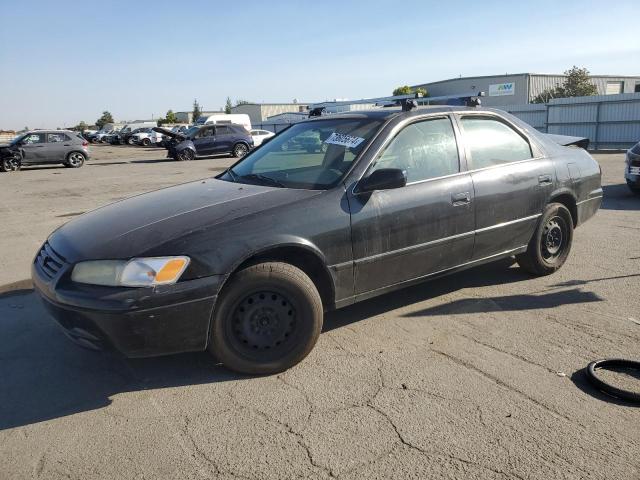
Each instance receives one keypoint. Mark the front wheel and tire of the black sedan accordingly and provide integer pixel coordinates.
(268, 318)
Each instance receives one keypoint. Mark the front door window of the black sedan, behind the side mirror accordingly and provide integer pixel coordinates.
(424, 150)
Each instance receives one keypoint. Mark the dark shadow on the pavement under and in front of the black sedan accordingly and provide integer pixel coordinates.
(44, 376)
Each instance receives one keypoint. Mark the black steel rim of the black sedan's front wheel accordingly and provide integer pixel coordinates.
(263, 321)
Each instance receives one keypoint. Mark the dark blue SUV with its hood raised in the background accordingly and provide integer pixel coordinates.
(208, 140)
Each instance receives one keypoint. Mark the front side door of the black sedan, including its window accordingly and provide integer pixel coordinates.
(422, 228)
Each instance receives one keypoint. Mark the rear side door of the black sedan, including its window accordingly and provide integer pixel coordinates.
(512, 181)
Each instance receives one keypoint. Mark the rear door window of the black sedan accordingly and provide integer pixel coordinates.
(492, 142)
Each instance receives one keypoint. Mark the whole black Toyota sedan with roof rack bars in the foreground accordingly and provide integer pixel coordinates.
(245, 264)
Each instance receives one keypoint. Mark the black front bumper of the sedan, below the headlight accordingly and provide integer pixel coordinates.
(137, 322)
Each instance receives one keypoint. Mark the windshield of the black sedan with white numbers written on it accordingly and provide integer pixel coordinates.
(312, 155)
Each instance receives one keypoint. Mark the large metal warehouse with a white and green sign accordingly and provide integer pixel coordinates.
(521, 88)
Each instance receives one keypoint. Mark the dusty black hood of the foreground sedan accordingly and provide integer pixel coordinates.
(140, 224)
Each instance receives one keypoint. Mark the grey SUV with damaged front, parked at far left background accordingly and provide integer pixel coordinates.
(44, 146)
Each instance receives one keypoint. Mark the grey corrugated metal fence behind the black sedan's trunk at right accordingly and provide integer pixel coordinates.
(609, 121)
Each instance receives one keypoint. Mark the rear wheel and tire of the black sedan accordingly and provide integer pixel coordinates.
(551, 242)
